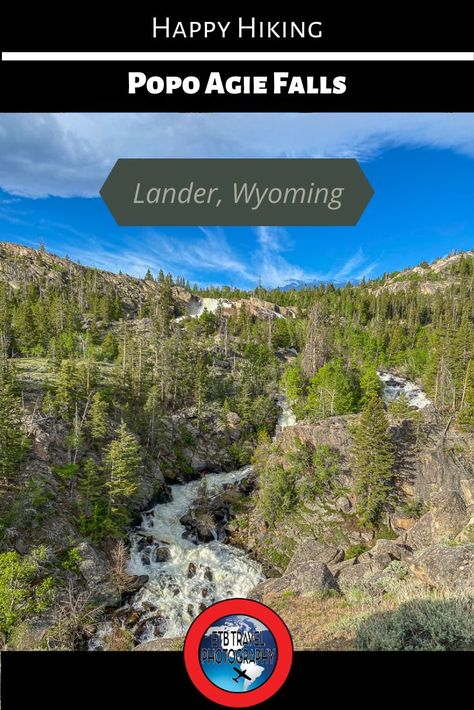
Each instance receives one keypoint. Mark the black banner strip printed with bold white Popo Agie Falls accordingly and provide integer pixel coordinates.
(104, 86)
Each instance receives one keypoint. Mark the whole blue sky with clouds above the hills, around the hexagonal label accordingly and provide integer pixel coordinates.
(421, 167)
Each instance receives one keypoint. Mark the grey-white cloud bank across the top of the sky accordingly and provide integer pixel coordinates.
(72, 154)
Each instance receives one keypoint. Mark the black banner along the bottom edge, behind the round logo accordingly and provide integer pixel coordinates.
(127, 680)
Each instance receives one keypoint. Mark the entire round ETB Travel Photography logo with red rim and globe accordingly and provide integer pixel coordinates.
(238, 653)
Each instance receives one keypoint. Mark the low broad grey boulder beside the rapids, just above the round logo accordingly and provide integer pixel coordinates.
(306, 579)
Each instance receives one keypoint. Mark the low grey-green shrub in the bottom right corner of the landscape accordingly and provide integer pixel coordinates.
(420, 625)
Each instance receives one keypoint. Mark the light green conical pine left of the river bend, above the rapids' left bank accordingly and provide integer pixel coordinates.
(122, 462)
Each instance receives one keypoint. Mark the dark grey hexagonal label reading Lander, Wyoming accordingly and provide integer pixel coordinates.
(227, 192)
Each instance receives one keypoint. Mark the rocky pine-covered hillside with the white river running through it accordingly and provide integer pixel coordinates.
(147, 469)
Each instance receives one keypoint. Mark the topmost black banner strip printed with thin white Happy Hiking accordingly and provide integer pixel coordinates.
(356, 28)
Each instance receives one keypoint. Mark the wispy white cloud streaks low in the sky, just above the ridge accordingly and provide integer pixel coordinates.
(203, 255)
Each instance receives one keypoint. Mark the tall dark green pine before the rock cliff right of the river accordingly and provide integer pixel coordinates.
(373, 462)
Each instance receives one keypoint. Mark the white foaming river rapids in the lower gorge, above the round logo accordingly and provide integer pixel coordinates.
(193, 575)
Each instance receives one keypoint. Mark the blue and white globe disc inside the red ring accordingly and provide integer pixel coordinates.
(238, 653)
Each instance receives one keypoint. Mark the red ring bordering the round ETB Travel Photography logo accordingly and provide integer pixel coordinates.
(258, 611)
